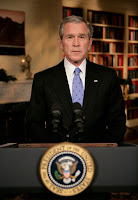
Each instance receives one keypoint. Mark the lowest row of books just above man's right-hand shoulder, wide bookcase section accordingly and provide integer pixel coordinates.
(106, 60)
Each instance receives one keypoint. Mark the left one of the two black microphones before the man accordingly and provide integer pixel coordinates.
(56, 118)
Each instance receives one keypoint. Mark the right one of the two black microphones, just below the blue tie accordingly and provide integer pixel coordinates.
(78, 117)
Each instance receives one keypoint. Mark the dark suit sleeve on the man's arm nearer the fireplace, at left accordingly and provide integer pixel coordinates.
(36, 112)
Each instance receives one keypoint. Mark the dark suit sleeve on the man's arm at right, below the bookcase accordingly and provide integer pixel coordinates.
(116, 119)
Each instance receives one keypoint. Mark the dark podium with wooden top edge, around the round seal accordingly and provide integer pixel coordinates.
(115, 167)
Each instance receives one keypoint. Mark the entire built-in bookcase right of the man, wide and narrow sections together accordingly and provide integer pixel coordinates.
(115, 44)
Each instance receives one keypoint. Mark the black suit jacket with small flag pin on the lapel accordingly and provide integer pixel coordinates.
(103, 105)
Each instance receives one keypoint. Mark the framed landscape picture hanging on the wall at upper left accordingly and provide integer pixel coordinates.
(12, 36)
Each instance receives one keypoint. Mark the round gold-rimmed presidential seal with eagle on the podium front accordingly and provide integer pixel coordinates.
(67, 169)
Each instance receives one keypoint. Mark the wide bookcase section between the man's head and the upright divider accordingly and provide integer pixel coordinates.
(108, 39)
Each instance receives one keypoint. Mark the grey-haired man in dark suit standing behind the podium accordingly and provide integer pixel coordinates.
(102, 106)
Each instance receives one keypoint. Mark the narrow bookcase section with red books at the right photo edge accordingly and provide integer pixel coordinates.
(133, 51)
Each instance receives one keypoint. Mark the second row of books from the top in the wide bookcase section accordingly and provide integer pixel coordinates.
(108, 32)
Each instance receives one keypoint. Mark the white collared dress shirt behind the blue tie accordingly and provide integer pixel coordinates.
(69, 69)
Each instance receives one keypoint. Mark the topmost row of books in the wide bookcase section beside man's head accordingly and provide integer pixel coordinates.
(105, 18)
